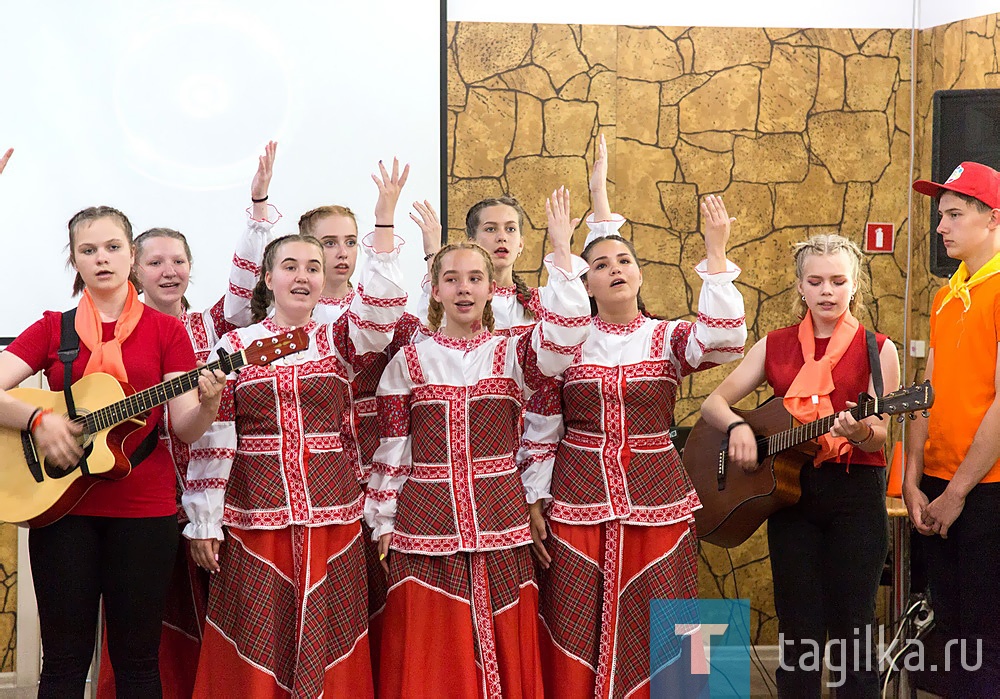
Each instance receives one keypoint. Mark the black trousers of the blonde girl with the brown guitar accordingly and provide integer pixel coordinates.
(827, 555)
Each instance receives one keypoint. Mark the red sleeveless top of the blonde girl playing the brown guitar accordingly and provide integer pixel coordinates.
(850, 376)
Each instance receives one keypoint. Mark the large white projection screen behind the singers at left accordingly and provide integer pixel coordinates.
(161, 109)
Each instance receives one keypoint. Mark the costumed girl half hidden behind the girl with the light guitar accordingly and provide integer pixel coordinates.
(163, 269)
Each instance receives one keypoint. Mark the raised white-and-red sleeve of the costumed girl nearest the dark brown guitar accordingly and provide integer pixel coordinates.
(720, 331)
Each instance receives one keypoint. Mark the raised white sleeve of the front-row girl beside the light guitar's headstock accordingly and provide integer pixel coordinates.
(368, 324)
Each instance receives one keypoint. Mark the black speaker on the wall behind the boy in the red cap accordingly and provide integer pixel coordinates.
(966, 127)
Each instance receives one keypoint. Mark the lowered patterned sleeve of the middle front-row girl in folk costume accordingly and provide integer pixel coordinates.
(392, 462)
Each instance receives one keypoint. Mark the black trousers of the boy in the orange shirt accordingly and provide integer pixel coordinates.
(963, 572)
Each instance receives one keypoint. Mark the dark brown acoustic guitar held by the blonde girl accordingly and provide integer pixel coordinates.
(735, 503)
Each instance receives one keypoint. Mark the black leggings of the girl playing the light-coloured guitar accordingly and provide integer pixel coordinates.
(78, 560)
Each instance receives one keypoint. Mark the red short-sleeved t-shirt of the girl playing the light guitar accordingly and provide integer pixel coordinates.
(158, 345)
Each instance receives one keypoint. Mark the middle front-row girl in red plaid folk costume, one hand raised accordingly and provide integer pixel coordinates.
(448, 501)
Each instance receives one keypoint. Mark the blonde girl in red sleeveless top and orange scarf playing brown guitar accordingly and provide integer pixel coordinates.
(827, 551)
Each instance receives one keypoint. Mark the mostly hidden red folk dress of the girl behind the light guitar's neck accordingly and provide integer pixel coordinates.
(187, 596)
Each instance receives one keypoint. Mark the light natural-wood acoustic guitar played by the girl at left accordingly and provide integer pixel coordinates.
(34, 492)
